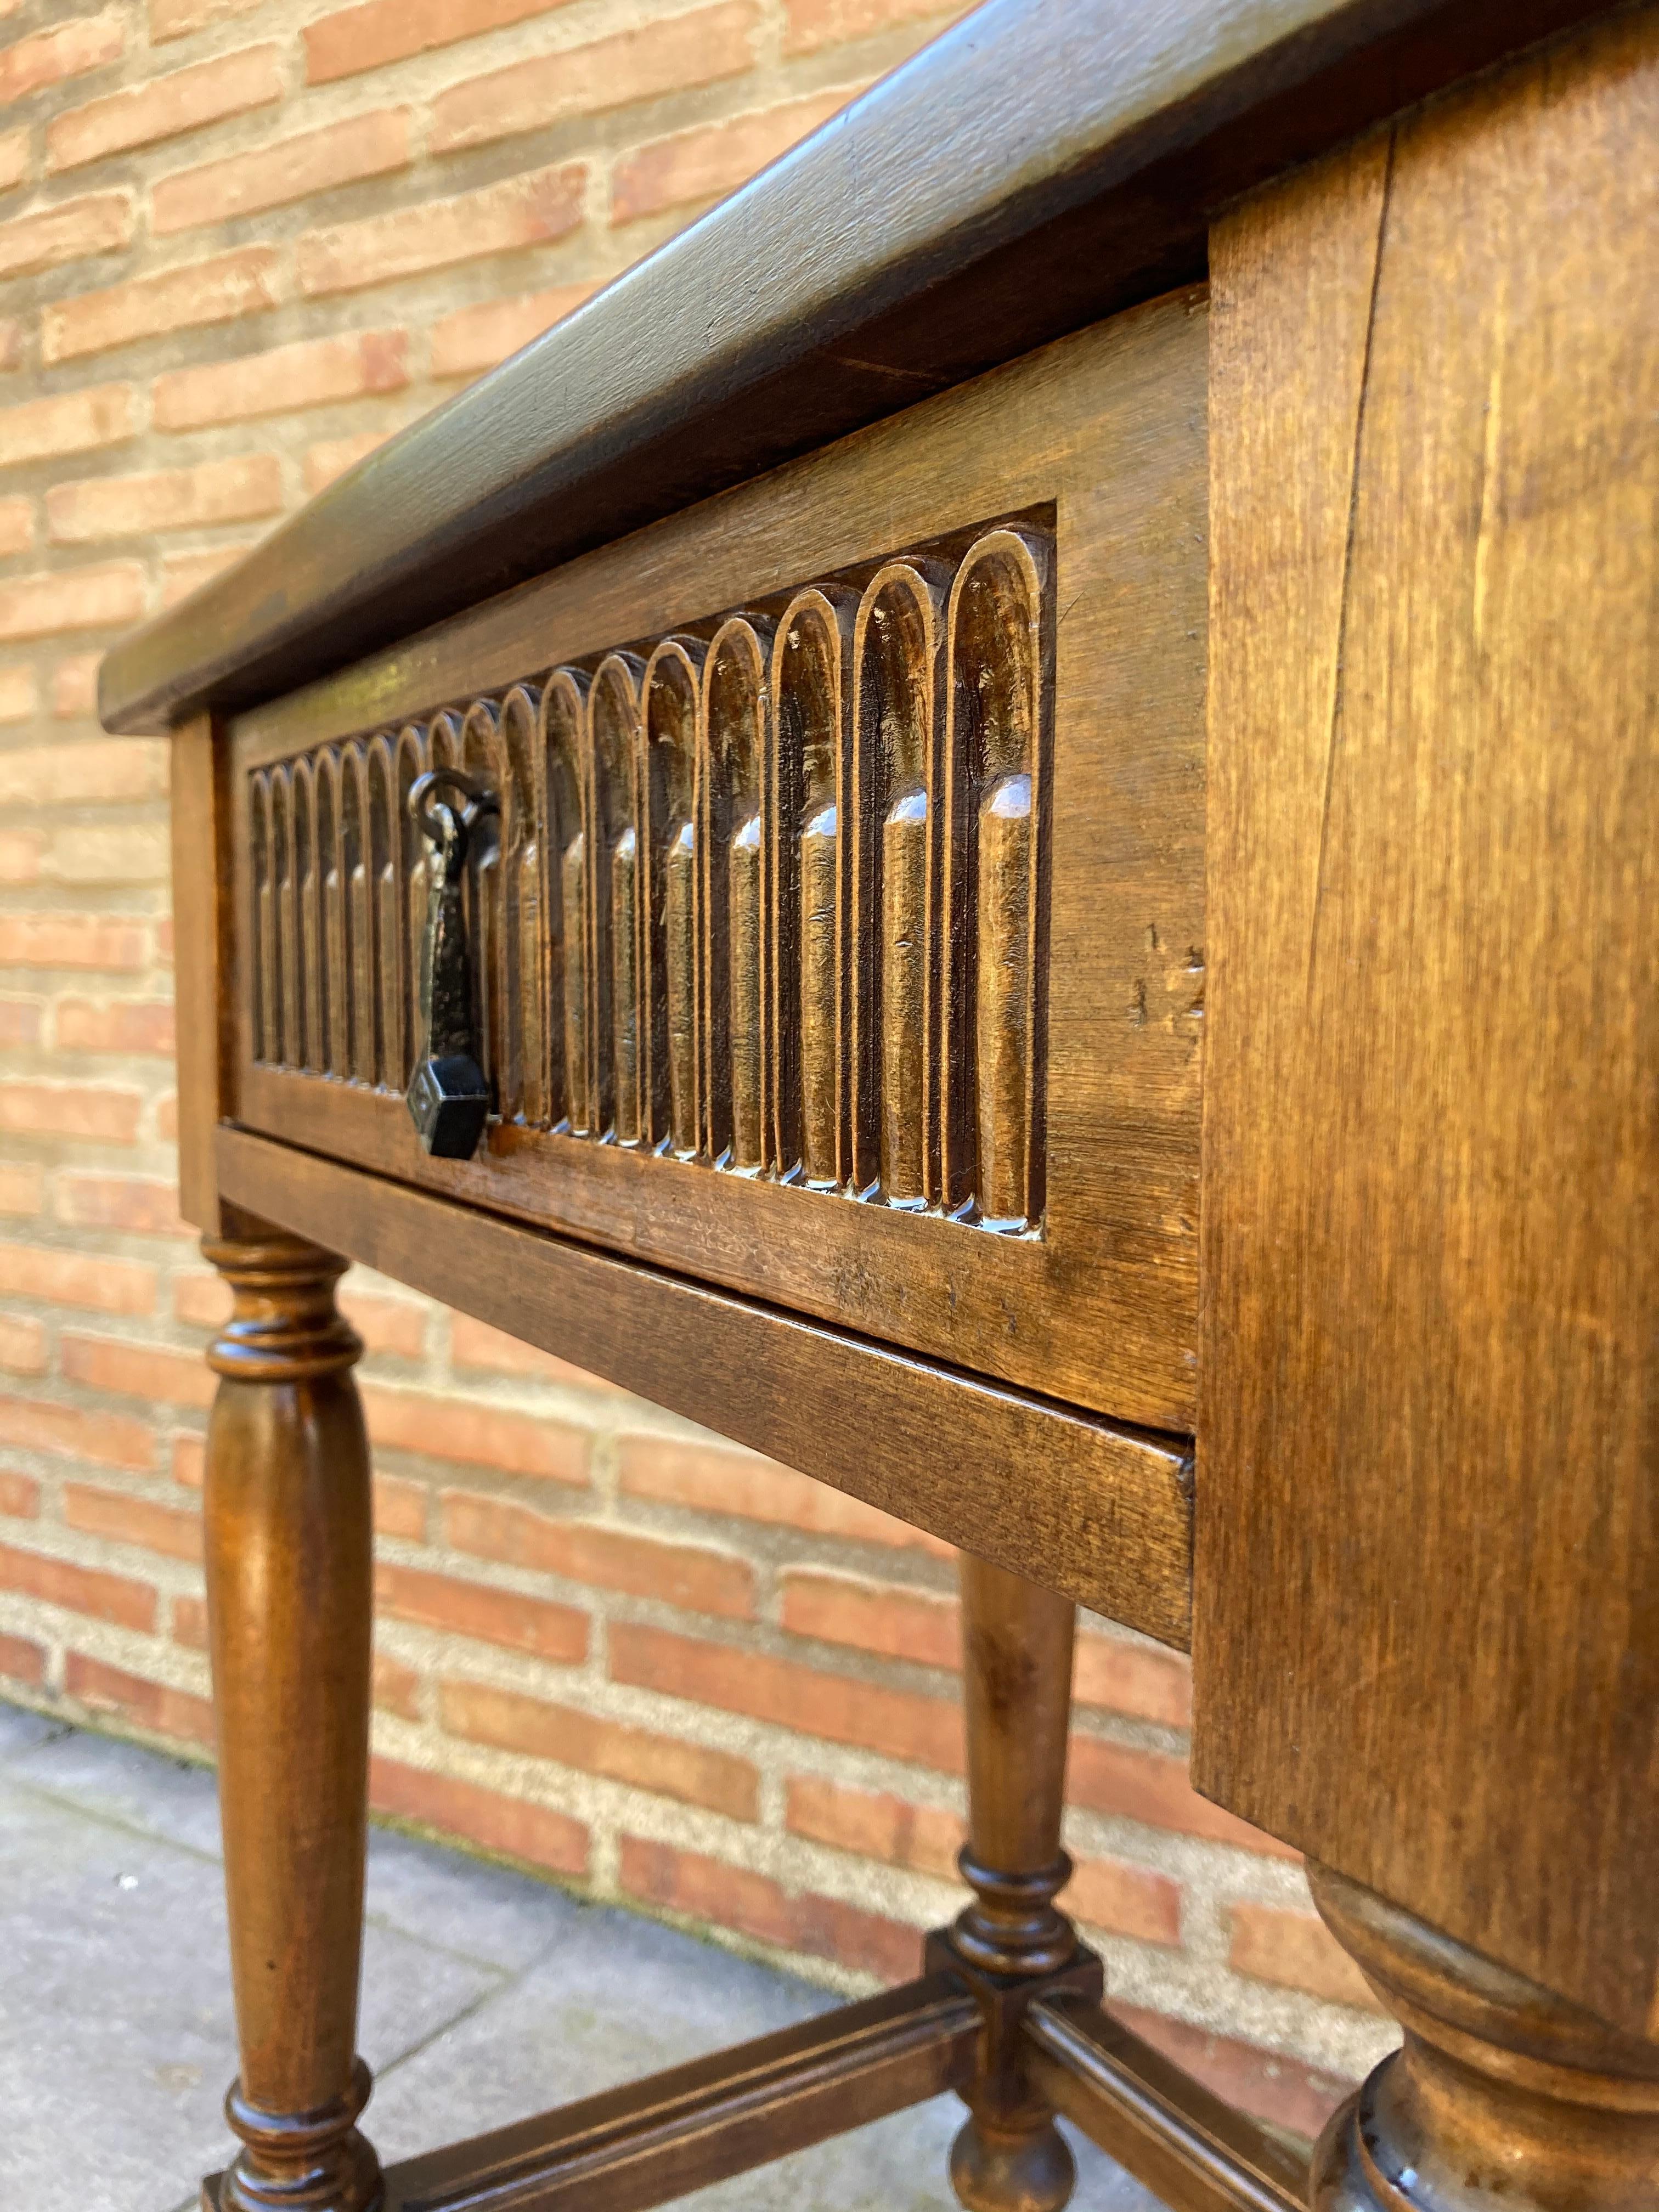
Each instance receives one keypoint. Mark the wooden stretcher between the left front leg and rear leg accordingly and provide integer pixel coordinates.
(689, 2127)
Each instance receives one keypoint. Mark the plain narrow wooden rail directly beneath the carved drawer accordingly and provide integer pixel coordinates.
(1092, 1510)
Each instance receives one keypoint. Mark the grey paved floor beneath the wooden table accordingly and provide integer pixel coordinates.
(488, 1996)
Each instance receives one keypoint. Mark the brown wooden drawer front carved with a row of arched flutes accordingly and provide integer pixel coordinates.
(839, 932)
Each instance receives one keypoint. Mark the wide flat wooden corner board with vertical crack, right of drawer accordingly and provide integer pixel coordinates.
(1428, 1545)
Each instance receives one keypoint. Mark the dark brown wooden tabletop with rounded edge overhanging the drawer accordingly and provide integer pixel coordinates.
(1032, 171)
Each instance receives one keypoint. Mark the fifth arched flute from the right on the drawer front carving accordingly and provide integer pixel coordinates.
(671, 696)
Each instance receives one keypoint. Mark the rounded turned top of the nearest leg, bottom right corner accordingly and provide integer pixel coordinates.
(1501, 2100)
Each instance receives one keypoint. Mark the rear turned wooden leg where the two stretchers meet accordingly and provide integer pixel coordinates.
(1010, 2158)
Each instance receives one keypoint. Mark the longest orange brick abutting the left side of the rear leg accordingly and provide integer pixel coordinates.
(791, 1695)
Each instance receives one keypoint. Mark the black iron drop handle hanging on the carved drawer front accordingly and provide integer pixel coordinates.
(448, 1092)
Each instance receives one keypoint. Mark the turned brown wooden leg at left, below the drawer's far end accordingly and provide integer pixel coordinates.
(291, 1611)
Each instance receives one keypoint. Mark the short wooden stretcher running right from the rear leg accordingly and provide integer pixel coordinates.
(1160, 2125)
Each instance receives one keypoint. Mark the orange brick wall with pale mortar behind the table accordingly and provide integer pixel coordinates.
(240, 244)
